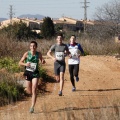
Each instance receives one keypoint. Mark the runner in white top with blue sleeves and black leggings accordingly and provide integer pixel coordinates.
(74, 60)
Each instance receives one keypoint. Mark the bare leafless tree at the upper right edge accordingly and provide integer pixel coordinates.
(109, 16)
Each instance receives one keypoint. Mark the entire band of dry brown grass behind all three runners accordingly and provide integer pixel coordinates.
(16, 49)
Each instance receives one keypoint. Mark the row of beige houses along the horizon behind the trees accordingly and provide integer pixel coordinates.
(64, 22)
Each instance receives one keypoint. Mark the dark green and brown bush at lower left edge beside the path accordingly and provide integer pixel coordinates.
(10, 90)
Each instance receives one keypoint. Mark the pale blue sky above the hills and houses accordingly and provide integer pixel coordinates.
(51, 8)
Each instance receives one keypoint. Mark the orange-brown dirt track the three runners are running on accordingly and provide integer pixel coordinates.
(97, 95)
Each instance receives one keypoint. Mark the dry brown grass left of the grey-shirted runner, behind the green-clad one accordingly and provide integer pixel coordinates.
(15, 49)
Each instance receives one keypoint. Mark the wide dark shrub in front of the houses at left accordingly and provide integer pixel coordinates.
(19, 31)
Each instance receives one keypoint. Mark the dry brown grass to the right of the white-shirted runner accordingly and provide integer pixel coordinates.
(98, 47)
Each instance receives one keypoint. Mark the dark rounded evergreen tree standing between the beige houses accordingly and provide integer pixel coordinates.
(47, 29)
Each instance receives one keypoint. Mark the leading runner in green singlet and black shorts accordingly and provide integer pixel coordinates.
(30, 60)
